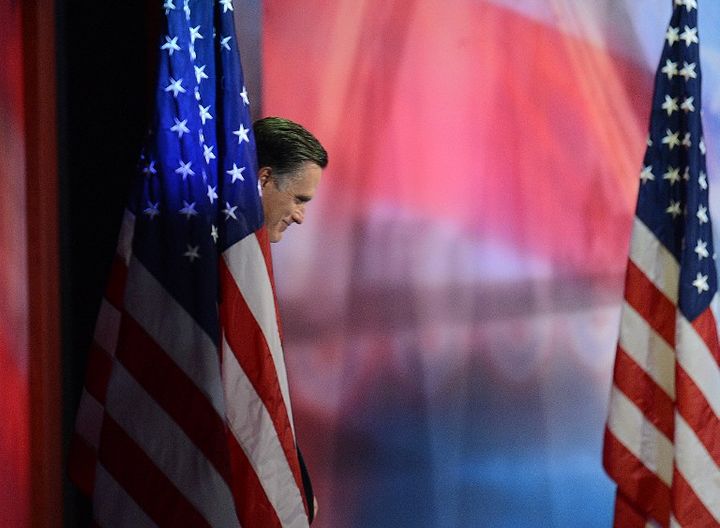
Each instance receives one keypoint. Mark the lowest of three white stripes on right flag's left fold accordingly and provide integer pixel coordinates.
(628, 424)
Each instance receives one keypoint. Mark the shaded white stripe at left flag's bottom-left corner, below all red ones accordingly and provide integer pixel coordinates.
(122, 511)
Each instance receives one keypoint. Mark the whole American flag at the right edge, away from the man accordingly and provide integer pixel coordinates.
(662, 440)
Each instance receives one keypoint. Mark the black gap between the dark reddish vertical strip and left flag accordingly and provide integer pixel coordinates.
(106, 69)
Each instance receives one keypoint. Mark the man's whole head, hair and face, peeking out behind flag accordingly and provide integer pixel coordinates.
(290, 161)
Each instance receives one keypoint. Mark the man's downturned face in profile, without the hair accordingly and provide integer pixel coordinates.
(284, 205)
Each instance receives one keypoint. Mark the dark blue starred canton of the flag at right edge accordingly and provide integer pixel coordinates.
(673, 199)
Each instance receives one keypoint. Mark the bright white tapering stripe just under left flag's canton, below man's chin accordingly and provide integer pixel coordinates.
(247, 266)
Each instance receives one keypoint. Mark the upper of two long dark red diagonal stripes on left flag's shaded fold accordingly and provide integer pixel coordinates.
(174, 392)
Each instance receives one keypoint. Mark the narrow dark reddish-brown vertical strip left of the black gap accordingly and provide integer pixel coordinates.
(41, 213)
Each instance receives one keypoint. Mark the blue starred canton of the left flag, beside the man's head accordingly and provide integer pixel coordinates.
(197, 191)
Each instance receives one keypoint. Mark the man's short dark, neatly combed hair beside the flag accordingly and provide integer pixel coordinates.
(285, 146)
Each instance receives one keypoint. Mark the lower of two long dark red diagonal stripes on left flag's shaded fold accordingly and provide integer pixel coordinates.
(143, 481)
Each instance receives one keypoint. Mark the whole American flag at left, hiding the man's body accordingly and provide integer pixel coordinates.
(185, 419)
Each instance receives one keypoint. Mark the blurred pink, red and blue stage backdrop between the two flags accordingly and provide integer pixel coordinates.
(451, 304)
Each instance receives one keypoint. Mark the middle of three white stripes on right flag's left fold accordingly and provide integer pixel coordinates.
(648, 349)
